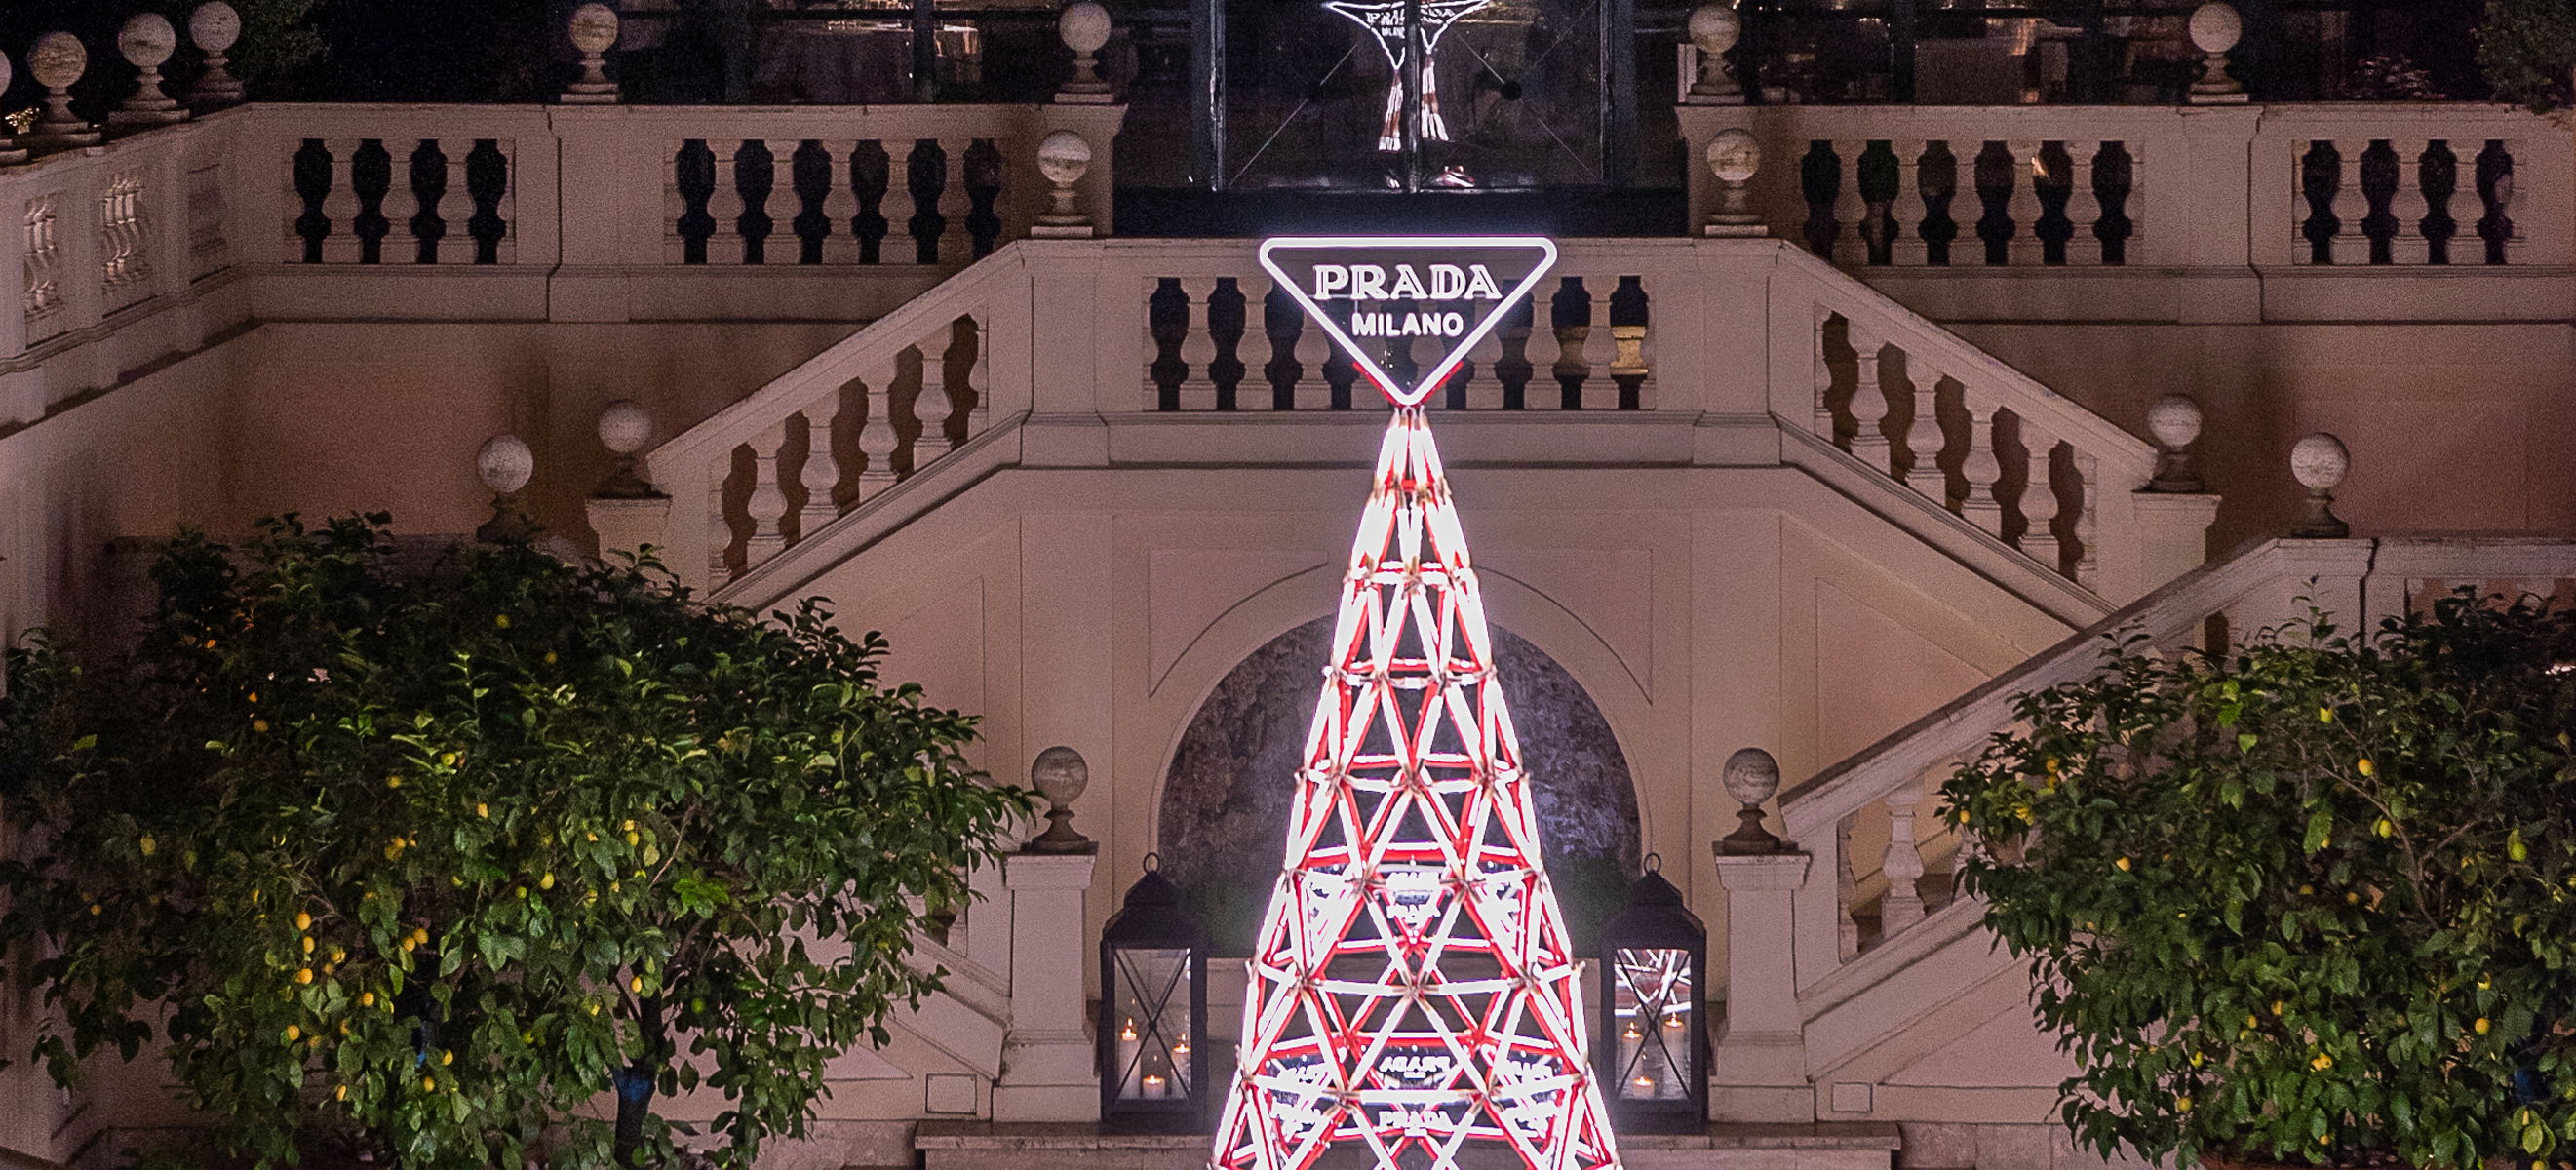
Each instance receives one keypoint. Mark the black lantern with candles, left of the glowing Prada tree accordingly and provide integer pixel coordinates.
(1153, 1014)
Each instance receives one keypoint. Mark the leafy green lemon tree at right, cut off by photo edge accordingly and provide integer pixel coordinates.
(2307, 901)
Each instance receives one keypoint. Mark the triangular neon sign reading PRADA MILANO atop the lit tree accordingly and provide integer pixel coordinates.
(1379, 295)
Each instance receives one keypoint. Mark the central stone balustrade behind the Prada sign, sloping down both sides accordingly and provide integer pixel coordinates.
(1189, 331)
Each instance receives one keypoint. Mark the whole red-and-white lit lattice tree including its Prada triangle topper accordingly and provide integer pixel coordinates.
(1413, 983)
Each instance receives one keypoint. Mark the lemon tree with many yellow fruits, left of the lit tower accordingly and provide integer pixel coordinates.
(480, 857)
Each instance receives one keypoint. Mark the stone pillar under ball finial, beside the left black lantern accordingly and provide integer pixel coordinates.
(1047, 1055)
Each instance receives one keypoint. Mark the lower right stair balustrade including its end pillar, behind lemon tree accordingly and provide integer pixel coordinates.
(1864, 883)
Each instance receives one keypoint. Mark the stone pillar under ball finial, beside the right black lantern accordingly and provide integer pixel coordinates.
(1758, 1071)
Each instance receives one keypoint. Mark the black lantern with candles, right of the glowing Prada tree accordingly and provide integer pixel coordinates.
(1653, 1048)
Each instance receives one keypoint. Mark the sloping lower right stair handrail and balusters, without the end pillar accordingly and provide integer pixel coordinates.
(2358, 581)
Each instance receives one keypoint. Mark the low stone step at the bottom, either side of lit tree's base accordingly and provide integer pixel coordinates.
(1078, 1146)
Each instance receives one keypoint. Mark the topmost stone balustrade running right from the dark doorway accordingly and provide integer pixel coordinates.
(2170, 187)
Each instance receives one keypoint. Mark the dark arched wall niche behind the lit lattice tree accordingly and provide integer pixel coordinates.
(1225, 795)
